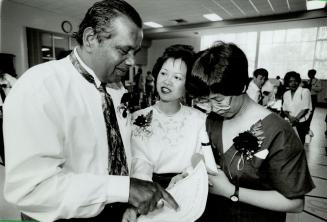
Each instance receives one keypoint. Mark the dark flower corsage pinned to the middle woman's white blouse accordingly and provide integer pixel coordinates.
(143, 125)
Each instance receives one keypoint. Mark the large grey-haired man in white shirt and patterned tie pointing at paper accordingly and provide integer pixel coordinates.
(57, 142)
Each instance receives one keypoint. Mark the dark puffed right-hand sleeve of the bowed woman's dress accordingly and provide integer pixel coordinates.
(288, 170)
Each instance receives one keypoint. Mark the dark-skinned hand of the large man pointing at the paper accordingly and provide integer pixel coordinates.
(144, 195)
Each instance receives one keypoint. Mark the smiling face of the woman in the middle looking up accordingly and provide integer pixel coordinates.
(171, 80)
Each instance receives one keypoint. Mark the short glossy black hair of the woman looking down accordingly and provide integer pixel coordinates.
(222, 68)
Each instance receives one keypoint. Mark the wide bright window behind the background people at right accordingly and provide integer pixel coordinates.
(282, 50)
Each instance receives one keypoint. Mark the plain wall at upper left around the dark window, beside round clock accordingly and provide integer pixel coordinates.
(15, 18)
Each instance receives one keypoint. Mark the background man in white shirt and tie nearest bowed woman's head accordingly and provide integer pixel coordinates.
(260, 76)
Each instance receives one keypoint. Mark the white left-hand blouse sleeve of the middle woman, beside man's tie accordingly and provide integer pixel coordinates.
(142, 167)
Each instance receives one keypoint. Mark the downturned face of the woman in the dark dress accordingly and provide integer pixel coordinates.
(226, 106)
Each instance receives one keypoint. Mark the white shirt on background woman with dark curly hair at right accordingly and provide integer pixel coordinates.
(301, 100)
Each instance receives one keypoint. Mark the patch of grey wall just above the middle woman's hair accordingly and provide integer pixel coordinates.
(158, 47)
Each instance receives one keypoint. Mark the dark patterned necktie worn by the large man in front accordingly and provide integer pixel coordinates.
(117, 164)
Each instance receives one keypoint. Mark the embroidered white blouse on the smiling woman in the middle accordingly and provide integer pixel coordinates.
(168, 143)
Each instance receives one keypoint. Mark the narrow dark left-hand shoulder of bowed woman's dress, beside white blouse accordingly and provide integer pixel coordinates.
(214, 125)
